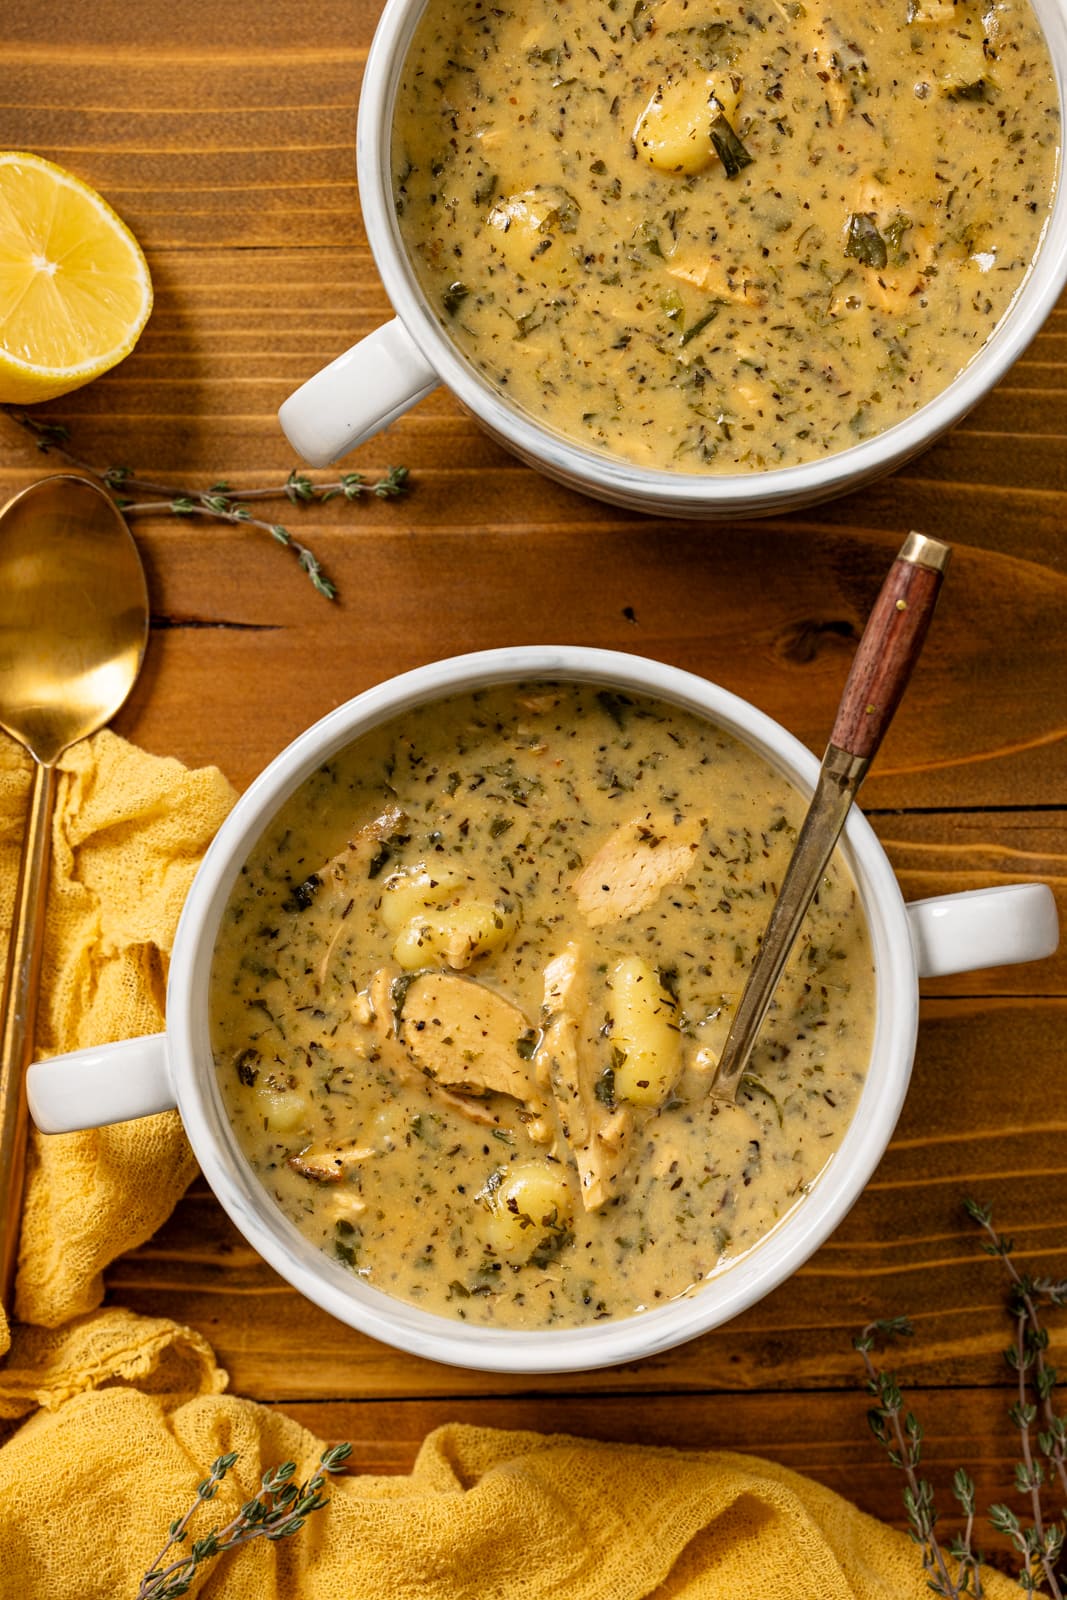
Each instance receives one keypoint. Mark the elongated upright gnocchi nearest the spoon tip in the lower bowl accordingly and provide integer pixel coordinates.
(644, 1034)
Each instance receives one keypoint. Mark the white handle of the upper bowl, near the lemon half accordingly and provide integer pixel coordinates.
(359, 394)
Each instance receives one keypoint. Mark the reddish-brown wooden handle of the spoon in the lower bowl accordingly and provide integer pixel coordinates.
(890, 647)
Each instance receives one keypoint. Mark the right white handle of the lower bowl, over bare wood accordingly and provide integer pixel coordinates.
(997, 927)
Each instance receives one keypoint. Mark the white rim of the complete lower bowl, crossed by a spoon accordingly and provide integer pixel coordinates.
(330, 1286)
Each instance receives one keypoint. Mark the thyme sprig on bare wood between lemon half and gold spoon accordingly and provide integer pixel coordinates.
(222, 502)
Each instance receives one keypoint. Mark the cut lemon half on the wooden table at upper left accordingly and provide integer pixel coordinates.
(74, 287)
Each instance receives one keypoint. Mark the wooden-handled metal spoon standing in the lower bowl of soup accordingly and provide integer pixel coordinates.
(884, 663)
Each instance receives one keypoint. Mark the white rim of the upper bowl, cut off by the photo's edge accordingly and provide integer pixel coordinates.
(663, 490)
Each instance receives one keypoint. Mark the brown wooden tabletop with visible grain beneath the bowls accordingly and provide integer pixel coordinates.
(225, 135)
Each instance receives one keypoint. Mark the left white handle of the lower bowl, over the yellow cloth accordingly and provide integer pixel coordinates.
(89, 1089)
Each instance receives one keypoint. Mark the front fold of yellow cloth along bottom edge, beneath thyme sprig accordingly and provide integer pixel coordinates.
(90, 1490)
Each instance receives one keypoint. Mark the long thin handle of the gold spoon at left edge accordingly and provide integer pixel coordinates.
(18, 1015)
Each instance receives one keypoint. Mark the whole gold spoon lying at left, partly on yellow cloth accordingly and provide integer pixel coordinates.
(74, 622)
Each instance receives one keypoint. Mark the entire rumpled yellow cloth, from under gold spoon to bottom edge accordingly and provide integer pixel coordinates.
(129, 1412)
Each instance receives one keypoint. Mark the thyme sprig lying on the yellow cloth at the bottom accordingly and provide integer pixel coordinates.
(279, 1510)
